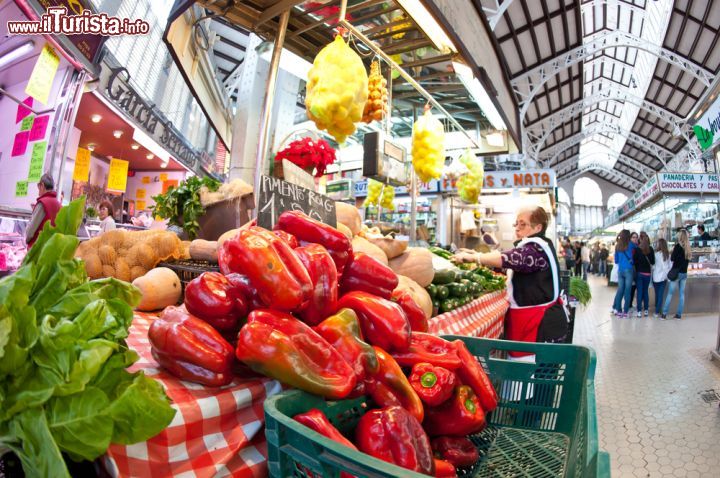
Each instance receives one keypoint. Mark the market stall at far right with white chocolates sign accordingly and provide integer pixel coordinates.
(667, 202)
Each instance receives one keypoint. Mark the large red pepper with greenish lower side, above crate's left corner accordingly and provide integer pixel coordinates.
(280, 346)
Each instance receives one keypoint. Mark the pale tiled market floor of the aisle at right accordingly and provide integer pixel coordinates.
(650, 380)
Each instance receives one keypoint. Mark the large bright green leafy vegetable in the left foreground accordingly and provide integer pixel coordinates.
(63, 383)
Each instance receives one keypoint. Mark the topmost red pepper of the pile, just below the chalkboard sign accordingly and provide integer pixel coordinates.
(309, 230)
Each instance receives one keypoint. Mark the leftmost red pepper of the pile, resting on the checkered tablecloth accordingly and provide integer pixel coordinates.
(190, 348)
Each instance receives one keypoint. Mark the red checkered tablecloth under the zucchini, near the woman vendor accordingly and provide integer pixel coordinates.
(482, 317)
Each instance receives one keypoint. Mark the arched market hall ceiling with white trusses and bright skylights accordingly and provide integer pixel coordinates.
(607, 86)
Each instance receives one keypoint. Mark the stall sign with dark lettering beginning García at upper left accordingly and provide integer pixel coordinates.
(115, 84)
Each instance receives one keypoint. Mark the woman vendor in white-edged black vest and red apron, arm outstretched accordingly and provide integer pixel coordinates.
(536, 311)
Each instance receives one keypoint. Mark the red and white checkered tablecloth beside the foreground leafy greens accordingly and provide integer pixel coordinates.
(215, 432)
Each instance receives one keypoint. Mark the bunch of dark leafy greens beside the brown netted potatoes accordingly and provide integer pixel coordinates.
(181, 205)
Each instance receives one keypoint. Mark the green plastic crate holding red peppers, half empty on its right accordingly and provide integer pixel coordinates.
(552, 432)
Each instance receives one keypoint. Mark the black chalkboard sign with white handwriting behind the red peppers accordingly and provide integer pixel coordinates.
(277, 196)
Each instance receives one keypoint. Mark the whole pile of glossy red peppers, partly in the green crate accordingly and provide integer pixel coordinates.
(296, 304)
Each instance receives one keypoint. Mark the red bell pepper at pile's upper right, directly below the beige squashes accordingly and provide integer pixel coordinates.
(368, 275)
